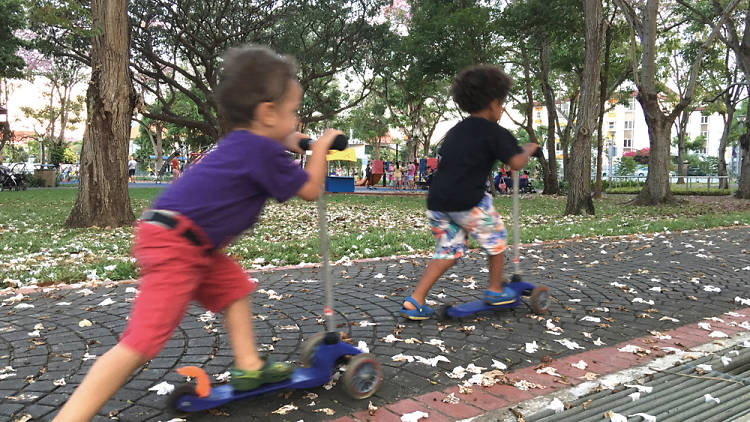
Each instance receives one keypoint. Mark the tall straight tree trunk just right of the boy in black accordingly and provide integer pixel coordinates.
(579, 189)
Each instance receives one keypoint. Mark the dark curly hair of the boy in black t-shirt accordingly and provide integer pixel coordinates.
(475, 87)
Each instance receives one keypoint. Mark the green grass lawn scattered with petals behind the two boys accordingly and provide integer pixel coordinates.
(36, 249)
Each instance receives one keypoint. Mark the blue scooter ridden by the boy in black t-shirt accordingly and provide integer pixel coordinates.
(538, 295)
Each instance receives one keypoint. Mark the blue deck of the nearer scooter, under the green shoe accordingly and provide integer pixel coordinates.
(316, 375)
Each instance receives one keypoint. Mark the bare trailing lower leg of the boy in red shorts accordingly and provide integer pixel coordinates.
(105, 377)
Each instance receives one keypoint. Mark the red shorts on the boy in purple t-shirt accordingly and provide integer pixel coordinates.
(174, 272)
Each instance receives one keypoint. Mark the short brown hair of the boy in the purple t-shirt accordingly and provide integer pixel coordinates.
(251, 75)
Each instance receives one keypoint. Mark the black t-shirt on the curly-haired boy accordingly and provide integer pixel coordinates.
(466, 157)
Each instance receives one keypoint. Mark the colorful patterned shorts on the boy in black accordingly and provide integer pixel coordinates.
(451, 230)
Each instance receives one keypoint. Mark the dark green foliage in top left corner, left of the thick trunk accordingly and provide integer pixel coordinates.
(12, 18)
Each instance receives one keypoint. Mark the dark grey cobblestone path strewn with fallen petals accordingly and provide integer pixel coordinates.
(625, 286)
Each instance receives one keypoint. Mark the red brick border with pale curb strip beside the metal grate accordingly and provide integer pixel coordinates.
(613, 366)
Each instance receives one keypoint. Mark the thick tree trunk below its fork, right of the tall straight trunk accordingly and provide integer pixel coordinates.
(656, 190)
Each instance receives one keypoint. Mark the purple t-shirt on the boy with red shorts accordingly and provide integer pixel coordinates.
(224, 192)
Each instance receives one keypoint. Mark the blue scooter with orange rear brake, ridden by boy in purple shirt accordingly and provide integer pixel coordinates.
(321, 354)
